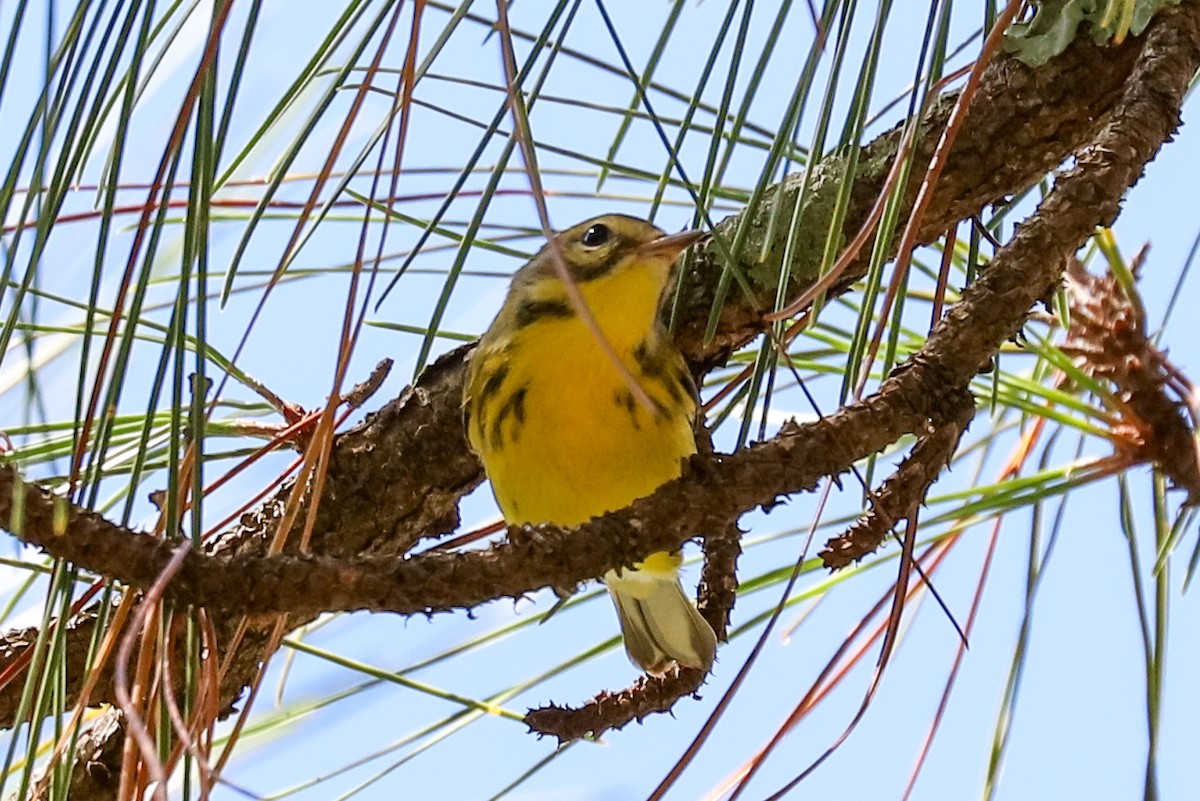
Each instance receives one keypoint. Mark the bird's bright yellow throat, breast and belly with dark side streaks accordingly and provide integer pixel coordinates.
(560, 432)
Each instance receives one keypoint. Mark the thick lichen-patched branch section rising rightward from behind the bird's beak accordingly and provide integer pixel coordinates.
(1024, 123)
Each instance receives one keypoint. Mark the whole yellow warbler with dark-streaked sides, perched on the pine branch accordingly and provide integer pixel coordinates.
(567, 436)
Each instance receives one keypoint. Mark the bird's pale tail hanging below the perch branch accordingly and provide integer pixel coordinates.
(659, 624)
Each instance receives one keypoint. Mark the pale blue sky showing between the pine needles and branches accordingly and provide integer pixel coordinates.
(1079, 730)
